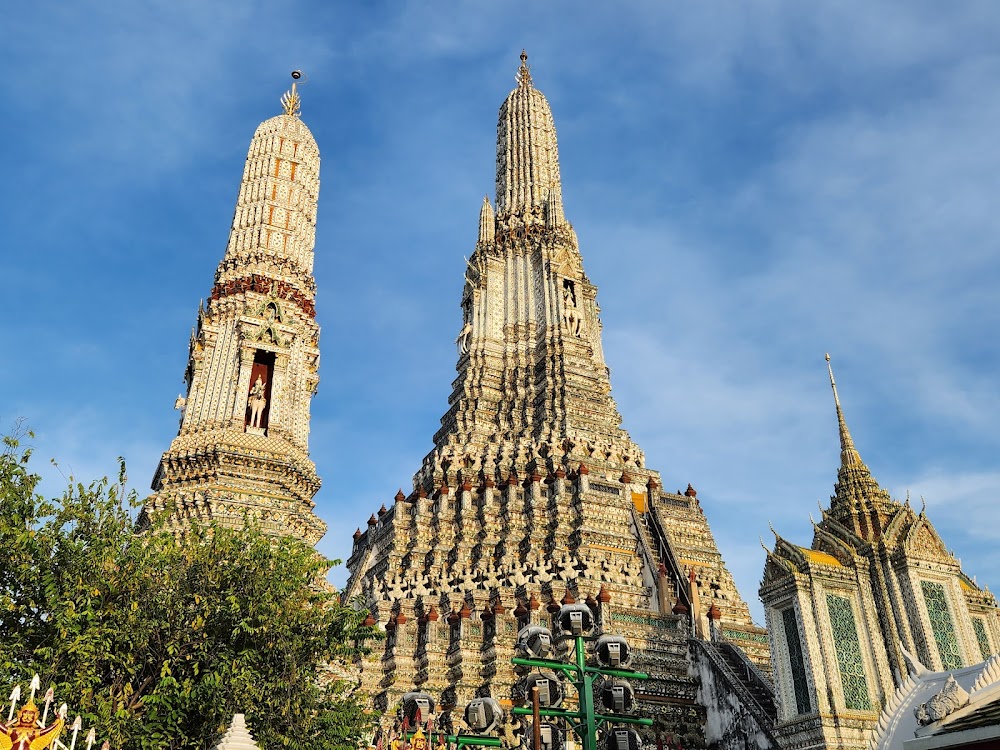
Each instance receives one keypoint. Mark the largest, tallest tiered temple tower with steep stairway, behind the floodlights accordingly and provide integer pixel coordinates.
(533, 494)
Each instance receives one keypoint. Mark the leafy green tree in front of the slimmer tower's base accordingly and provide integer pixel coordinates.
(157, 639)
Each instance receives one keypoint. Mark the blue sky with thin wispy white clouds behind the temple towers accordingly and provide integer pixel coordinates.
(752, 184)
